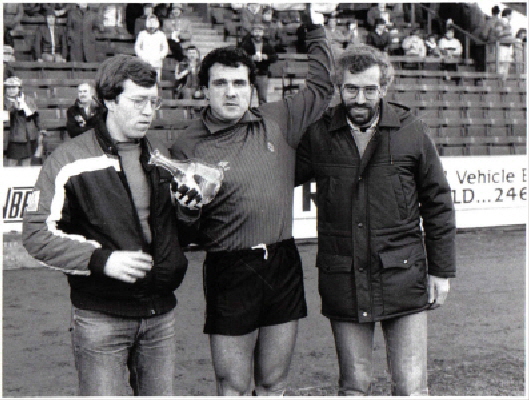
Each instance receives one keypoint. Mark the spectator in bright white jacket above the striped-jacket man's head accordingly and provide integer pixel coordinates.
(151, 45)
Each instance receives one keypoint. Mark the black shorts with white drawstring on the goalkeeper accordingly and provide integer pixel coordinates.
(245, 291)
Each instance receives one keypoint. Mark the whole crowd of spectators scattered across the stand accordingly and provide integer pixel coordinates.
(67, 32)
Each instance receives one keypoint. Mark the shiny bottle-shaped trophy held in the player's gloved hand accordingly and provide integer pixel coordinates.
(205, 177)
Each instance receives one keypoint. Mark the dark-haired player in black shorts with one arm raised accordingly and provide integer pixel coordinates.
(253, 279)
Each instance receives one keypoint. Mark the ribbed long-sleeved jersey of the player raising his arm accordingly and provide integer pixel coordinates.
(254, 203)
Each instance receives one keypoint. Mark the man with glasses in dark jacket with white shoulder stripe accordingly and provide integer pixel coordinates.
(105, 217)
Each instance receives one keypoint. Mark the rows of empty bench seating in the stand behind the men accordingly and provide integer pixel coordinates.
(470, 114)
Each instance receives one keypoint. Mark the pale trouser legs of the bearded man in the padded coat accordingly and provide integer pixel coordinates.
(406, 350)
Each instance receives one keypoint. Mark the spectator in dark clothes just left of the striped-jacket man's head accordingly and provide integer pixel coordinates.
(82, 116)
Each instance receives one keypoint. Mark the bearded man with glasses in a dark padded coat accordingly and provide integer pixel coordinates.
(377, 174)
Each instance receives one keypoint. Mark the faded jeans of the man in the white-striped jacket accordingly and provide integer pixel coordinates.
(109, 350)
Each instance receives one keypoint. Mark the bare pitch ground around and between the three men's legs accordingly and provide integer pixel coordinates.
(476, 340)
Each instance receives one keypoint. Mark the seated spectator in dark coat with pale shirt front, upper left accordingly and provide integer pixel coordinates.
(51, 44)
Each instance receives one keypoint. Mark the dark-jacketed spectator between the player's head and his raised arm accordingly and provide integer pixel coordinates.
(262, 54)
